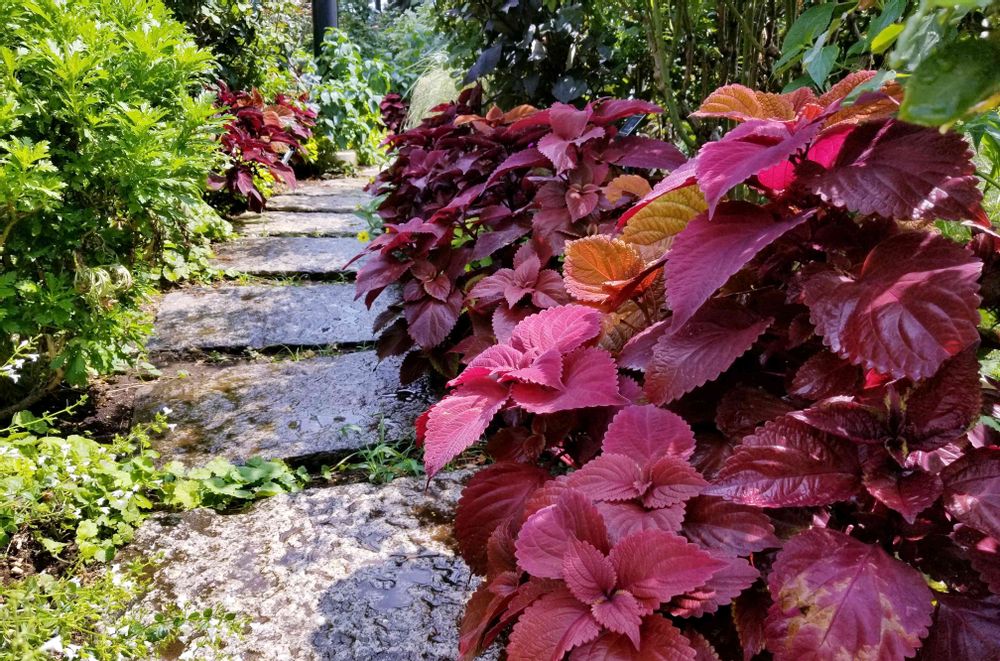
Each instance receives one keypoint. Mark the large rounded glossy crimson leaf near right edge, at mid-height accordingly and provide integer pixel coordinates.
(912, 306)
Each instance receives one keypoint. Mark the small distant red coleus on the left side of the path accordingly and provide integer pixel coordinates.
(259, 139)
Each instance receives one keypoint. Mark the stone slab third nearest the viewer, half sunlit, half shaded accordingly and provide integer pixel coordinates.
(260, 317)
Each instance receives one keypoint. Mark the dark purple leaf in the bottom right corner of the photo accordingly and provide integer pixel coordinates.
(964, 628)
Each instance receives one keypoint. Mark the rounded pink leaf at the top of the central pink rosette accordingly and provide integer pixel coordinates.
(647, 432)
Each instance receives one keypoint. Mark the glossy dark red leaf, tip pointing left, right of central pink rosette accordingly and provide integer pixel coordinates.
(789, 464)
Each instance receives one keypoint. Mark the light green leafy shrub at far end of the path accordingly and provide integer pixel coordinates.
(348, 92)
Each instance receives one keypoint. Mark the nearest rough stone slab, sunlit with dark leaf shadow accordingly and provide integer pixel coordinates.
(348, 572)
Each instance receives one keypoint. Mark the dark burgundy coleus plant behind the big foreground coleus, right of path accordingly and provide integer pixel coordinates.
(478, 208)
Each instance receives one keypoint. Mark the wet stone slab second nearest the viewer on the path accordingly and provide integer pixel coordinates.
(282, 410)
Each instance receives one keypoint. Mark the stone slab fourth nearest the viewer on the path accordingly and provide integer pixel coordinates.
(288, 255)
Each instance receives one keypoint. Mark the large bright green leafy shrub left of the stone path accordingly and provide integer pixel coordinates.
(104, 152)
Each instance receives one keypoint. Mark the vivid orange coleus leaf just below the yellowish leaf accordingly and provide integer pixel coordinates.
(596, 265)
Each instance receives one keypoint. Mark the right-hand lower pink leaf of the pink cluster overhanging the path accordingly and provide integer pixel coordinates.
(590, 378)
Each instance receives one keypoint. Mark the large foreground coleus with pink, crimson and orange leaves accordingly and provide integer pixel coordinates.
(761, 424)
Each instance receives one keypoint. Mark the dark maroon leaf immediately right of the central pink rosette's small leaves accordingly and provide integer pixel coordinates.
(727, 527)
